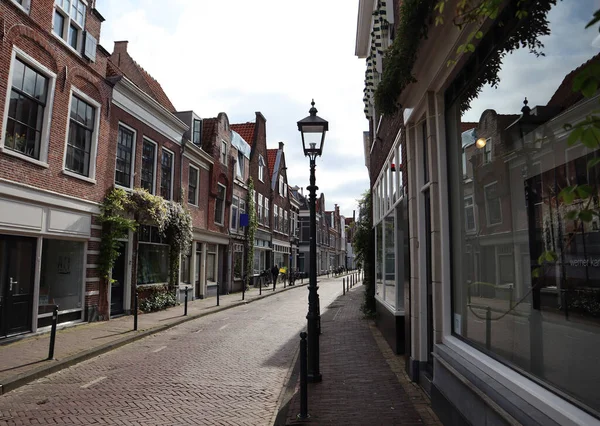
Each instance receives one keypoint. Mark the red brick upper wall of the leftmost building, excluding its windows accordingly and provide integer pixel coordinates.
(33, 35)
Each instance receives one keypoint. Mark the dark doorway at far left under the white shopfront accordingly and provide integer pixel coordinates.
(17, 274)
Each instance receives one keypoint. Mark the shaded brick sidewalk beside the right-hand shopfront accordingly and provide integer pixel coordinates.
(364, 382)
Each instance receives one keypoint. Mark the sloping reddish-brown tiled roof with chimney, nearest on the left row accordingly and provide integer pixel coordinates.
(124, 64)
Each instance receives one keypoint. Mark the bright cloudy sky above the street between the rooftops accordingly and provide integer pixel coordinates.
(272, 56)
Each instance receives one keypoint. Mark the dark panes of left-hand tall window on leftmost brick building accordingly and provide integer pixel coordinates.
(28, 97)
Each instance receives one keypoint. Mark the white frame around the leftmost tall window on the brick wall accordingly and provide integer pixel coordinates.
(45, 137)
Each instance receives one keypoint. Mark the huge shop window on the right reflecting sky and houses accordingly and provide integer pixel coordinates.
(526, 278)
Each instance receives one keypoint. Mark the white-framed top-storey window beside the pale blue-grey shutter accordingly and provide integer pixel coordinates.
(69, 22)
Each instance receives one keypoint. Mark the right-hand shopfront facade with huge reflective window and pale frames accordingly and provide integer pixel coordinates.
(501, 192)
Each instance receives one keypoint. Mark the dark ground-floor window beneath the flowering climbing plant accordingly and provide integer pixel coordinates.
(153, 257)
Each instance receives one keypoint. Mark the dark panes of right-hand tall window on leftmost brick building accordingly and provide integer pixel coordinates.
(81, 129)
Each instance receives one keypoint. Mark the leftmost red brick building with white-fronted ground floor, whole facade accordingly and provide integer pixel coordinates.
(53, 162)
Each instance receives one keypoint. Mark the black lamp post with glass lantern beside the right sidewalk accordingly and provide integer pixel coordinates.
(313, 129)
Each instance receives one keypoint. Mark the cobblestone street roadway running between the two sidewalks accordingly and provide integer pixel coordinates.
(226, 368)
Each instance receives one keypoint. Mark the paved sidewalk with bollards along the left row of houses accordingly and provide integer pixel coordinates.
(25, 360)
